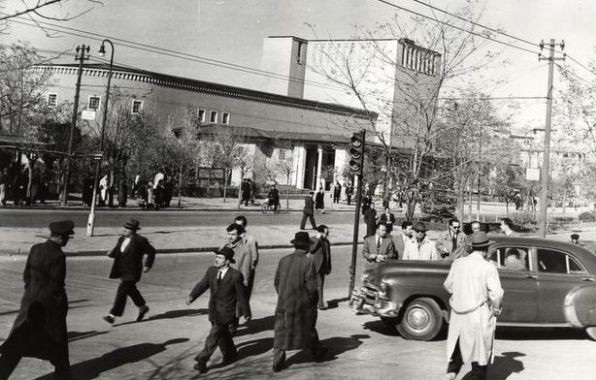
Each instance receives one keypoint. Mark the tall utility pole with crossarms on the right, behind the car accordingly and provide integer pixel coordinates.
(547, 127)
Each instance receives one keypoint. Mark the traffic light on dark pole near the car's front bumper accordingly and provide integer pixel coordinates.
(354, 149)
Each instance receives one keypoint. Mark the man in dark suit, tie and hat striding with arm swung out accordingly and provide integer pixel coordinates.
(227, 290)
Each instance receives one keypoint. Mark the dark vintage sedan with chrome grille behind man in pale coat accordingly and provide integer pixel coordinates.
(547, 284)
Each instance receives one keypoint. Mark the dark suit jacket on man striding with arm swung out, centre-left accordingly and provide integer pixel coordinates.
(224, 296)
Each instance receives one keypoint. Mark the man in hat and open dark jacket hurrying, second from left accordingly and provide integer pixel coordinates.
(128, 267)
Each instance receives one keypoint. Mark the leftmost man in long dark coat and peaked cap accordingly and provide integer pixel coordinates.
(40, 328)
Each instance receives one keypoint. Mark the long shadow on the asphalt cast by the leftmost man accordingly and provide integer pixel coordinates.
(93, 368)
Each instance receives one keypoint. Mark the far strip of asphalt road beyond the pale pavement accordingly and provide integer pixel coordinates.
(112, 218)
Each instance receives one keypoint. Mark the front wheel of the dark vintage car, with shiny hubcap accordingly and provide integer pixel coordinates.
(421, 320)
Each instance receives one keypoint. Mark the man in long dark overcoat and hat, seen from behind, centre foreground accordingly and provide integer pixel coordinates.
(296, 311)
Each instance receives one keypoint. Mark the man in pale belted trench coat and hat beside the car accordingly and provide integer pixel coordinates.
(475, 302)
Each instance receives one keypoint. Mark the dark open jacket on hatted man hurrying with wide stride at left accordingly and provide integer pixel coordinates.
(128, 265)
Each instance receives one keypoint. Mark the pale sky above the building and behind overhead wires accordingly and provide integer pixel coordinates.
(232, 32)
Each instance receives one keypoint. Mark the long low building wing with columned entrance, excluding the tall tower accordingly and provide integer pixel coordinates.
(312, 136)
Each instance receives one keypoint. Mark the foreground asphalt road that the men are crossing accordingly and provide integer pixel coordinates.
(361, 347)
